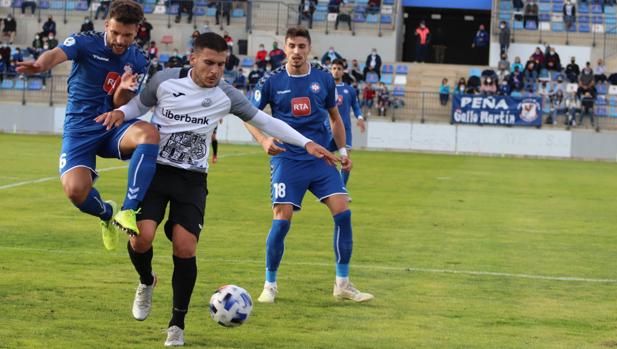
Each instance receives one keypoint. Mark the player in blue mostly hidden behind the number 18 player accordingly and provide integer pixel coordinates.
(346, 101)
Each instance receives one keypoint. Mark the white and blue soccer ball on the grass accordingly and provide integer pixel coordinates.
(230, 306)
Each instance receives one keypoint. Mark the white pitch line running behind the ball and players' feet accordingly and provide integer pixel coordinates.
(355, 266)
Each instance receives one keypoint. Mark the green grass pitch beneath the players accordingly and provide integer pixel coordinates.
(460, 252)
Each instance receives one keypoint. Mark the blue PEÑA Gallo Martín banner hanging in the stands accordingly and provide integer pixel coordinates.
(496, 110)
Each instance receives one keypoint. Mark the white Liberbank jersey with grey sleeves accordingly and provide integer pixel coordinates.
(186, 116)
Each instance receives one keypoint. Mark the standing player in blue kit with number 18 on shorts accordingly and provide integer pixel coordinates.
(304, 96)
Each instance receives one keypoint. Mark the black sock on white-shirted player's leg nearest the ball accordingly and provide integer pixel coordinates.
(182, 281)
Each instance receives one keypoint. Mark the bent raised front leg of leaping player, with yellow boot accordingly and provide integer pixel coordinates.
(140, 142)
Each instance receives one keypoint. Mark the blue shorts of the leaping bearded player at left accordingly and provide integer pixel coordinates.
(80, 150)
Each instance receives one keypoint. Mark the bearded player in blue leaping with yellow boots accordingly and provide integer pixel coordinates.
(106, 70)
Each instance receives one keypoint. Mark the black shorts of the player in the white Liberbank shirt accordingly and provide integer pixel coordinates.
(184, 190)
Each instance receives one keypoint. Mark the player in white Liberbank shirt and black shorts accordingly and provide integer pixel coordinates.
(188, 105)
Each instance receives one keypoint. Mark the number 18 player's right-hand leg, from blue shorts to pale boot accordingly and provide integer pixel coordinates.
(330, 190)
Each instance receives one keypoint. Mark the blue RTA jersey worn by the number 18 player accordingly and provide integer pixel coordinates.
(300, 101)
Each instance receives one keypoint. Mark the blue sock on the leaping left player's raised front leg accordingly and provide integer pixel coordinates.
(141, 172)
